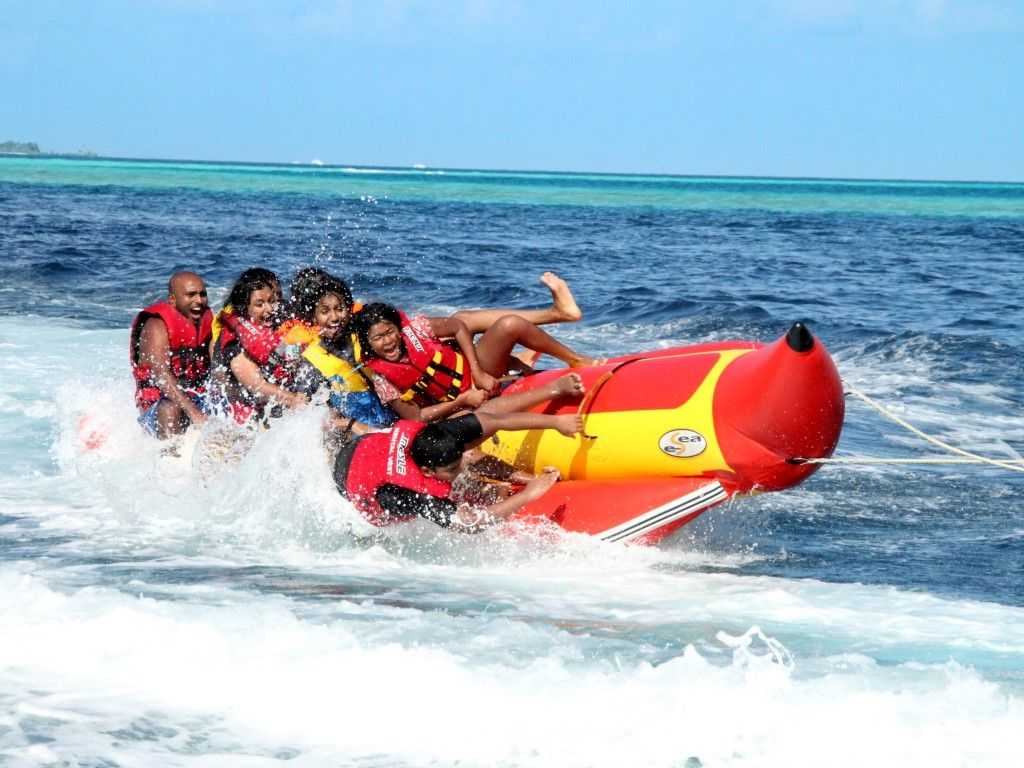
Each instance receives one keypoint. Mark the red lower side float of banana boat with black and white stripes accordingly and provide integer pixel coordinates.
(645, 510)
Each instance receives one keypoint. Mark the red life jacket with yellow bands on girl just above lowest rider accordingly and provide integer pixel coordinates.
(432, 372)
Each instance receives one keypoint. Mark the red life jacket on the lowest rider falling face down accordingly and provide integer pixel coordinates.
(383, 458)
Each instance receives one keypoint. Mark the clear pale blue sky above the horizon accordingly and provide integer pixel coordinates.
(854, 89)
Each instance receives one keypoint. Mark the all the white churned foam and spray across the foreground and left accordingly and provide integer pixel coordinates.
(149, 618)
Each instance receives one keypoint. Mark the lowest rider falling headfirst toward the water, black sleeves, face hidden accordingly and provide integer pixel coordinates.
(408, 472)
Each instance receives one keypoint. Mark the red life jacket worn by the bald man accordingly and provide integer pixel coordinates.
(190, 348)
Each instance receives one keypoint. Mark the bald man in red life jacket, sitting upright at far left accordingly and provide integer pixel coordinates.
(169, 350)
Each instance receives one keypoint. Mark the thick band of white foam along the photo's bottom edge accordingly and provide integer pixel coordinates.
(241, 675)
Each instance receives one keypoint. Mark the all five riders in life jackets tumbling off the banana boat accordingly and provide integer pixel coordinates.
(410, 399)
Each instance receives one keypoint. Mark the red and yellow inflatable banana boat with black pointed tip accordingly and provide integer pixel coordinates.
(672, 434)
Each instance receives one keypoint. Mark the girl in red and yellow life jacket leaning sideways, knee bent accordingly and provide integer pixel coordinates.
(423, 378)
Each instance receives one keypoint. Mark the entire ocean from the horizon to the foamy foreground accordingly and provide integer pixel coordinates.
(872, 617)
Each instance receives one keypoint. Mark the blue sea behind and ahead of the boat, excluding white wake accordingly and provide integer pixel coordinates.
(918, 308)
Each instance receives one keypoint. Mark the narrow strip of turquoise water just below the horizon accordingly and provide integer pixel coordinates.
(698, 193)
